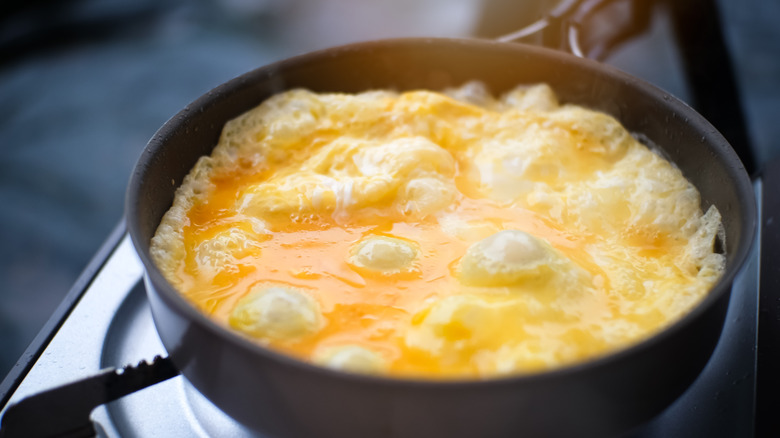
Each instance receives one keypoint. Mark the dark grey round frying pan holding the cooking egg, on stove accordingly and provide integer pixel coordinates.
(283, 397)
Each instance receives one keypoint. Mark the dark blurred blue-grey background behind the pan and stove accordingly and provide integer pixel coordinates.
(85, 83)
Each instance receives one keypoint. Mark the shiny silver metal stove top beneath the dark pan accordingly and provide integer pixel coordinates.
(111, 326)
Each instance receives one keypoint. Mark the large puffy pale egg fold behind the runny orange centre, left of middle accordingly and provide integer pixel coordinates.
(413, 174)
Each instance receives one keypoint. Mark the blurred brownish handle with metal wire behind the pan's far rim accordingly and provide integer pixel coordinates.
(574, 26)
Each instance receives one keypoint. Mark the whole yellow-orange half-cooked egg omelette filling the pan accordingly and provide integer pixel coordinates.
(437, 235)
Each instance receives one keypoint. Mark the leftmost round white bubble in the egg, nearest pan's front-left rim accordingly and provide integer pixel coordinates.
(276, 313)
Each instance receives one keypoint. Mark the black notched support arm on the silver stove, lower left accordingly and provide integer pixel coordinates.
(64, 411)
